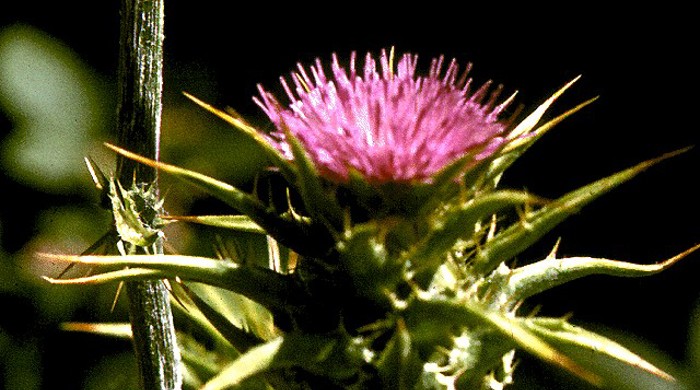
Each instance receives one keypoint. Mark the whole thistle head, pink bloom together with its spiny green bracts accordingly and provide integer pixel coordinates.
(425, 299)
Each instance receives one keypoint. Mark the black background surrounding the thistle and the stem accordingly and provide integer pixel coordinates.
(638, 60)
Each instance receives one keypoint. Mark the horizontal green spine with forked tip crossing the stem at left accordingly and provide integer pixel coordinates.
(264, 286)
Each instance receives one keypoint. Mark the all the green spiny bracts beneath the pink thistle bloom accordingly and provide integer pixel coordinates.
(392, 286)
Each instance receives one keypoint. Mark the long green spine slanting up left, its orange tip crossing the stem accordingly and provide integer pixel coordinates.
(293, 233)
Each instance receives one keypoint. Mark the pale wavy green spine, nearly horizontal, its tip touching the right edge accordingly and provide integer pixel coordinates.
(546, 274)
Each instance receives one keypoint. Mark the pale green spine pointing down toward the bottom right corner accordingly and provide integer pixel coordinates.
(618, 367)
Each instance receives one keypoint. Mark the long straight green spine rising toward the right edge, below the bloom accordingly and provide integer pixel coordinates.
(521, 235)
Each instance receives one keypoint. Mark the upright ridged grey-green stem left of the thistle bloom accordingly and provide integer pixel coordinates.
(140, 83)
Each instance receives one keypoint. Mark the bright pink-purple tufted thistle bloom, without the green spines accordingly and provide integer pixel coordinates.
(388, 125)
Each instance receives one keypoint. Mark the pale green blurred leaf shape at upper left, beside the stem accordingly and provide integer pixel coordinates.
(58, 107)
